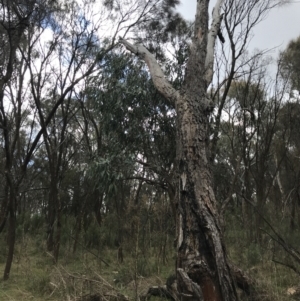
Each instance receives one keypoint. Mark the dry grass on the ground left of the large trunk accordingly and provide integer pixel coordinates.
(77, 277)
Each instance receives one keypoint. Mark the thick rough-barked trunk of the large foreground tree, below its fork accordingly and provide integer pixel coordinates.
(202, 269)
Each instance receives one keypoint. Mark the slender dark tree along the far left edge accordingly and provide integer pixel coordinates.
(14, 21)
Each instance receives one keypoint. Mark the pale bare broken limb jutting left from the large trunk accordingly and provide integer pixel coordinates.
(158, 77)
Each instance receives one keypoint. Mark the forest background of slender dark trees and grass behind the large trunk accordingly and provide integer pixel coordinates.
(88, 175)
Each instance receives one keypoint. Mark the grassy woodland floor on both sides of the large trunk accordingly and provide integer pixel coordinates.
(77, 277)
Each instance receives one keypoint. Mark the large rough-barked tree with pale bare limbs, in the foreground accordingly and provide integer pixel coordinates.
(202, 269)
